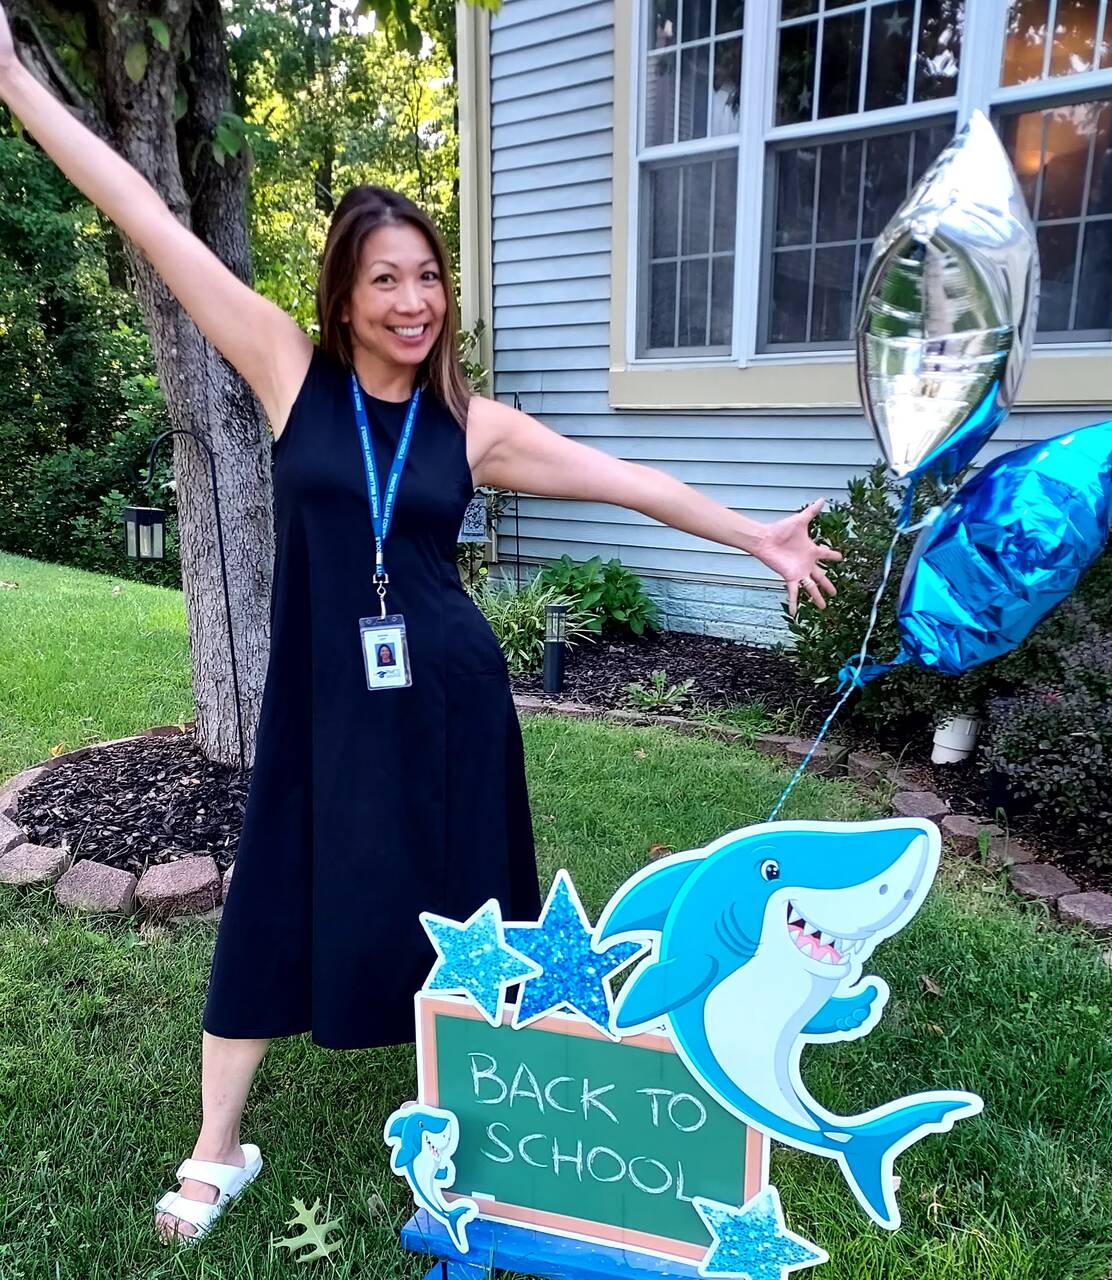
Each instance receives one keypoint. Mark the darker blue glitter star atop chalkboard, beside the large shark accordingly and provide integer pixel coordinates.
(574, 973)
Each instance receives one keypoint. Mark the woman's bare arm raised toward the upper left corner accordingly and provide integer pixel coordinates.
(253, 335)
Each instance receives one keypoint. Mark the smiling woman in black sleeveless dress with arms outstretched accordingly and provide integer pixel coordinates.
(369, 803)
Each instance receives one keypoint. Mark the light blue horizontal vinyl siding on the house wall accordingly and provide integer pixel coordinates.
(552, 176)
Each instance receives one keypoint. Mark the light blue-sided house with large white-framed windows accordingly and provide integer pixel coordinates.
(667, 207)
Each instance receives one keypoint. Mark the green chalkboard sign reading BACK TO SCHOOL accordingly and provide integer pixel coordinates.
(568, 1131)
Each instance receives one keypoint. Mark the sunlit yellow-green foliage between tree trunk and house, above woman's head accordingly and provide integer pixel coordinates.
(331, 102)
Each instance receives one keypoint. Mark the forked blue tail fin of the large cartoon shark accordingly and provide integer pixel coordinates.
(871, 1154)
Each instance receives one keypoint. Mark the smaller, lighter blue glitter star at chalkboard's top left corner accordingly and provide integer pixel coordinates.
(474, 959)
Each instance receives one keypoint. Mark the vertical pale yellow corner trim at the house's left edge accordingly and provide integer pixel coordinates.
(477, 254)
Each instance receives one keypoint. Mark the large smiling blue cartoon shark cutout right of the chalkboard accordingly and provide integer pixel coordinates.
(759, 949)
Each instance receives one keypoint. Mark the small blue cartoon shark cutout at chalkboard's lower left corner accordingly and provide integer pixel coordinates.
(423, 1141)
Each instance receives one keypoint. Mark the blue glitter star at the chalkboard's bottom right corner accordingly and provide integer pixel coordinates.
(753, 1241)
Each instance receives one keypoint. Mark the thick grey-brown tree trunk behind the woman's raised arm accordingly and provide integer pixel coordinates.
(204, 394)
